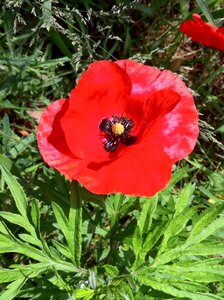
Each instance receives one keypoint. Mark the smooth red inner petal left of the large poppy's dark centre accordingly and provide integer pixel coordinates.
(102, 91)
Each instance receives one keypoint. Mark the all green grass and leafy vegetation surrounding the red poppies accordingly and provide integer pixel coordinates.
(167, 247)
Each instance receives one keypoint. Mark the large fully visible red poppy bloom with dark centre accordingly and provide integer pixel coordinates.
(121, 129)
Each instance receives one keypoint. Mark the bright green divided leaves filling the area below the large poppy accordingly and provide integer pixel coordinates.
(176, 254)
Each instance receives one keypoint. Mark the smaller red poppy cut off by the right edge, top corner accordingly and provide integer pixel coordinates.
(204, 33)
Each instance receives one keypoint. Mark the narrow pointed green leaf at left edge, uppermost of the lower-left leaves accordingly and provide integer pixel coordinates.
(16, 190)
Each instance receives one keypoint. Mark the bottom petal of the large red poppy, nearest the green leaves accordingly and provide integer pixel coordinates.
(141, 170)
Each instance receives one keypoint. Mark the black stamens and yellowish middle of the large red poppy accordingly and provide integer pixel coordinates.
(117, 130)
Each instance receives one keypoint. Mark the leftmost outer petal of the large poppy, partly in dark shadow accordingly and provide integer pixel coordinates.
(51, 140)
